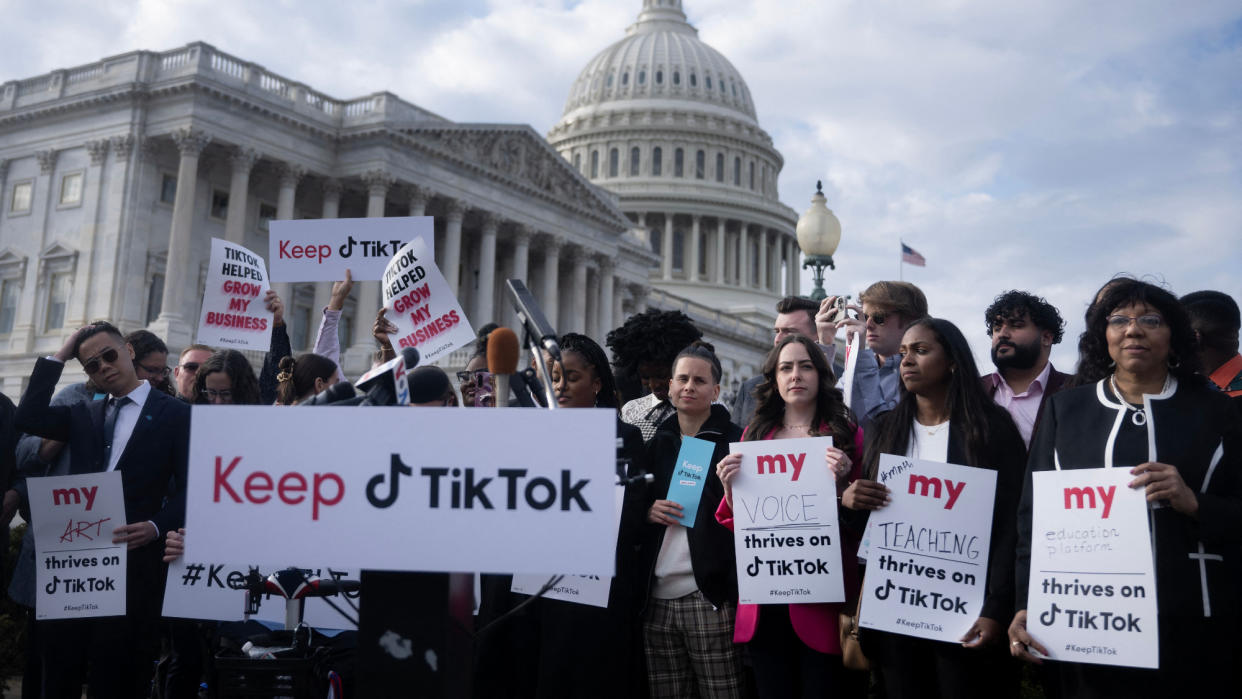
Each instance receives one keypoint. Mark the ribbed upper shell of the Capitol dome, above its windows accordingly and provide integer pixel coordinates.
(663, 59)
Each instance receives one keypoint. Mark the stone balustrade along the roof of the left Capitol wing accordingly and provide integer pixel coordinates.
(203, 61)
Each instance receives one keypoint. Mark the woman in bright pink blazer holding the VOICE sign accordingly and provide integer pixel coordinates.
(797, 649)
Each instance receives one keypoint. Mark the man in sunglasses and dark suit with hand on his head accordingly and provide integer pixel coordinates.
(148, 446)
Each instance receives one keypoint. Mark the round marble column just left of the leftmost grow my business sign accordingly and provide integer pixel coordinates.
(173, 325)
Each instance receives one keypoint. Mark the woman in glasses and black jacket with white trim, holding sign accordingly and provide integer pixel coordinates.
(1143, 408)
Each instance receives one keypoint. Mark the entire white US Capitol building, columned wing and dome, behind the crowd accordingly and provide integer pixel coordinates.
(658, 188)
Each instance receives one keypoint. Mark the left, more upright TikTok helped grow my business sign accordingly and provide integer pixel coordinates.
(234, 315)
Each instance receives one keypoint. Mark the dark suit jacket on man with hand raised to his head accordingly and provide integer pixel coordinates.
(153, 466)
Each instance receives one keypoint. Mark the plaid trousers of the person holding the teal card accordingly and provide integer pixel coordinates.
(690, 650)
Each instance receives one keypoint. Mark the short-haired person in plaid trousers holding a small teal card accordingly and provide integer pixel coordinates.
(694, 580)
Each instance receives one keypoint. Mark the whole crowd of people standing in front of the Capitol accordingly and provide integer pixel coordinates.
(1157, 390)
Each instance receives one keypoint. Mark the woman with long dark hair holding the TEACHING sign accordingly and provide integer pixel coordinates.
(945, 415)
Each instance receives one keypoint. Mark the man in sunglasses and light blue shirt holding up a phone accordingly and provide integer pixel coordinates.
(887, 310)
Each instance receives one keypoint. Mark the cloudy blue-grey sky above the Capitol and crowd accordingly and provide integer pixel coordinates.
(1036, 146)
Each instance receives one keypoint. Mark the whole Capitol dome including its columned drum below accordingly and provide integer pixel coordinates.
(668, 125)
